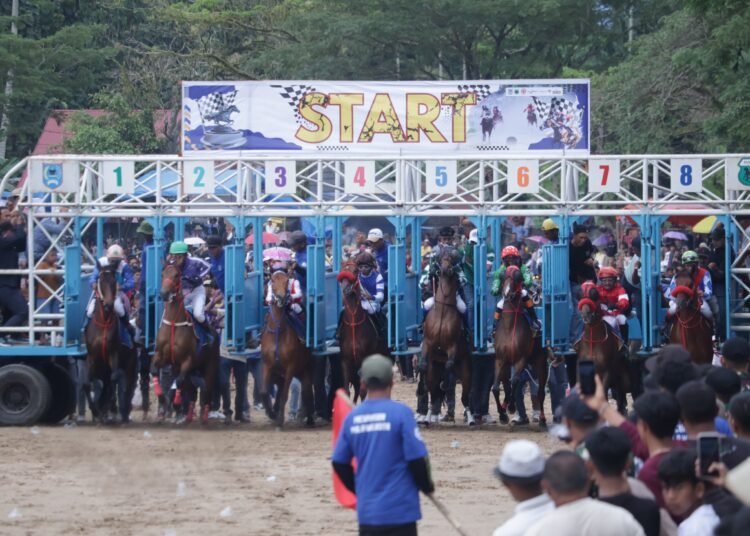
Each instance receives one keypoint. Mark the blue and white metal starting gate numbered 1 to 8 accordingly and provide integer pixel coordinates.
(72, 204)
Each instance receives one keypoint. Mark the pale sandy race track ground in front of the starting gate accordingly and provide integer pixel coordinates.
(151, 479)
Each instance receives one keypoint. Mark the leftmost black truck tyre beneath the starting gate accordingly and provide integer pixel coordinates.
(25, 395)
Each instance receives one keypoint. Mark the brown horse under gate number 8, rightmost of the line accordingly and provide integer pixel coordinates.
(690, 328)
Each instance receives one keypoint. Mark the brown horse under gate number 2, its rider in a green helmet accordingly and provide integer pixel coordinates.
(177, 347)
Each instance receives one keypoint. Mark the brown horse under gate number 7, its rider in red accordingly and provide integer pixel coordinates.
(600, 345)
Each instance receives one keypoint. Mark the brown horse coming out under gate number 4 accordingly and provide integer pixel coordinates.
(359, 337)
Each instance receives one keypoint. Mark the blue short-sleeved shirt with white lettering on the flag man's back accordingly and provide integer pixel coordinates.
(384, 437)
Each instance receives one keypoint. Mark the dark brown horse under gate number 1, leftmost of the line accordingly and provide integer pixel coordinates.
(111, 365)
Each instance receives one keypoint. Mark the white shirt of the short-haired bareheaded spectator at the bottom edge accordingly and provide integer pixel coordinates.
(587, 517)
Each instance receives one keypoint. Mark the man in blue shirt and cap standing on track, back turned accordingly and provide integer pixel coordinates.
(392, 460)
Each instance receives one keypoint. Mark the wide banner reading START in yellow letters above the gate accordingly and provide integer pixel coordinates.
(386, 118)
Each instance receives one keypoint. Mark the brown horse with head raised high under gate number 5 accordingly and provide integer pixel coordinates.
(444, 346)
